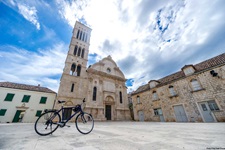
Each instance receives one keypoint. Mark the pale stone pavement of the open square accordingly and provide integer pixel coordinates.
(117, 136)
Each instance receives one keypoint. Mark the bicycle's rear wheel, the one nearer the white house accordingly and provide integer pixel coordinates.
(47, 123)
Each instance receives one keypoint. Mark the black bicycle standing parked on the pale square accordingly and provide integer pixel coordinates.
(50, 120)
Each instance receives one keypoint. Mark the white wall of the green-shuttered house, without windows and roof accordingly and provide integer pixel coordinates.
(33, 104)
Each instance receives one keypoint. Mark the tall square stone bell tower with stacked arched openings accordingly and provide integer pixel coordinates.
(74, 82)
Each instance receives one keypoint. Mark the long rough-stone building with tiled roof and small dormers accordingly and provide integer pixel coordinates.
(194, 94)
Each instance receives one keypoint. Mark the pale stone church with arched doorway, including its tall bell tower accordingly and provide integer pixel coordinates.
(101, 84)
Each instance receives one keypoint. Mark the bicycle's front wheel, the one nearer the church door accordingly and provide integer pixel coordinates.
(84, 123)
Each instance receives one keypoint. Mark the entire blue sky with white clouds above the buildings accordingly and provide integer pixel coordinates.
(148, 39)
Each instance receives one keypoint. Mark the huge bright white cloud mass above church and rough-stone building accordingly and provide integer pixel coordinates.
(153, 34)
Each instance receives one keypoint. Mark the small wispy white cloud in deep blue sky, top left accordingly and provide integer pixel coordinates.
(30, 14)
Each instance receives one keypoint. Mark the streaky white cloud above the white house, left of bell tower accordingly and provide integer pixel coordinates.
(43, 67)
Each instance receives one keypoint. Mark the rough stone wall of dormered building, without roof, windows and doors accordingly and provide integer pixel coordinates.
(213, 88)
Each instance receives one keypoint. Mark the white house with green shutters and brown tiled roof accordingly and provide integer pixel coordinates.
(23, 103)
